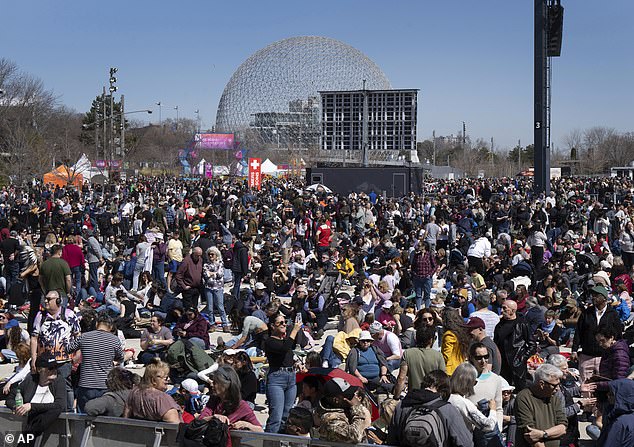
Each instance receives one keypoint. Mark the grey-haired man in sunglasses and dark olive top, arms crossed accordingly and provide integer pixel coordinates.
(539, 413)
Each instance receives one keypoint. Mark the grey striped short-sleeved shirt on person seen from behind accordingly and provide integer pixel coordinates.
(98, 350)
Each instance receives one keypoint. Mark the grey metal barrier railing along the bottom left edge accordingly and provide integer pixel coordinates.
(76, 430)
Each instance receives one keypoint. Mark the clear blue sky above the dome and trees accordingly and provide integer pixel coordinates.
(471, 60)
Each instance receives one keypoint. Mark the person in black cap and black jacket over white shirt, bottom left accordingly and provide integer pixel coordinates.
(39, 416)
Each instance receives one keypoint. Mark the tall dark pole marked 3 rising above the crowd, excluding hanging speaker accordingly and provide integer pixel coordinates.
(541, 154)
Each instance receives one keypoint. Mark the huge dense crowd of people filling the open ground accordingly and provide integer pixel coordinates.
(475, 314)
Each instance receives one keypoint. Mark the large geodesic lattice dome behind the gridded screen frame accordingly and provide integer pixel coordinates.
(272, 99)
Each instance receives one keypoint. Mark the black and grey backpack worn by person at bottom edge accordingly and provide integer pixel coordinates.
(423, 426)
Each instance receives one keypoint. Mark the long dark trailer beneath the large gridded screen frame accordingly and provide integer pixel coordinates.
(394, 181)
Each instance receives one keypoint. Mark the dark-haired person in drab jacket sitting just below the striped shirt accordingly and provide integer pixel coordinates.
(112, 403)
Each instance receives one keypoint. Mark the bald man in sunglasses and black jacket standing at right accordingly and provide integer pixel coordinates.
(516, 344)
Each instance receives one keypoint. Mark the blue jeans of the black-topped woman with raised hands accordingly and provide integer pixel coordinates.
(281, 391)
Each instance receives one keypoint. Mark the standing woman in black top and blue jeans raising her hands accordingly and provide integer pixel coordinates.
(281, 388)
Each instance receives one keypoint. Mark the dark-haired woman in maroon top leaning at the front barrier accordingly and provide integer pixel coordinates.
(226, 404)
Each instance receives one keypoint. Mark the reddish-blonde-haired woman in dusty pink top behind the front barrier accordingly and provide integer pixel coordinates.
(148, 400)
